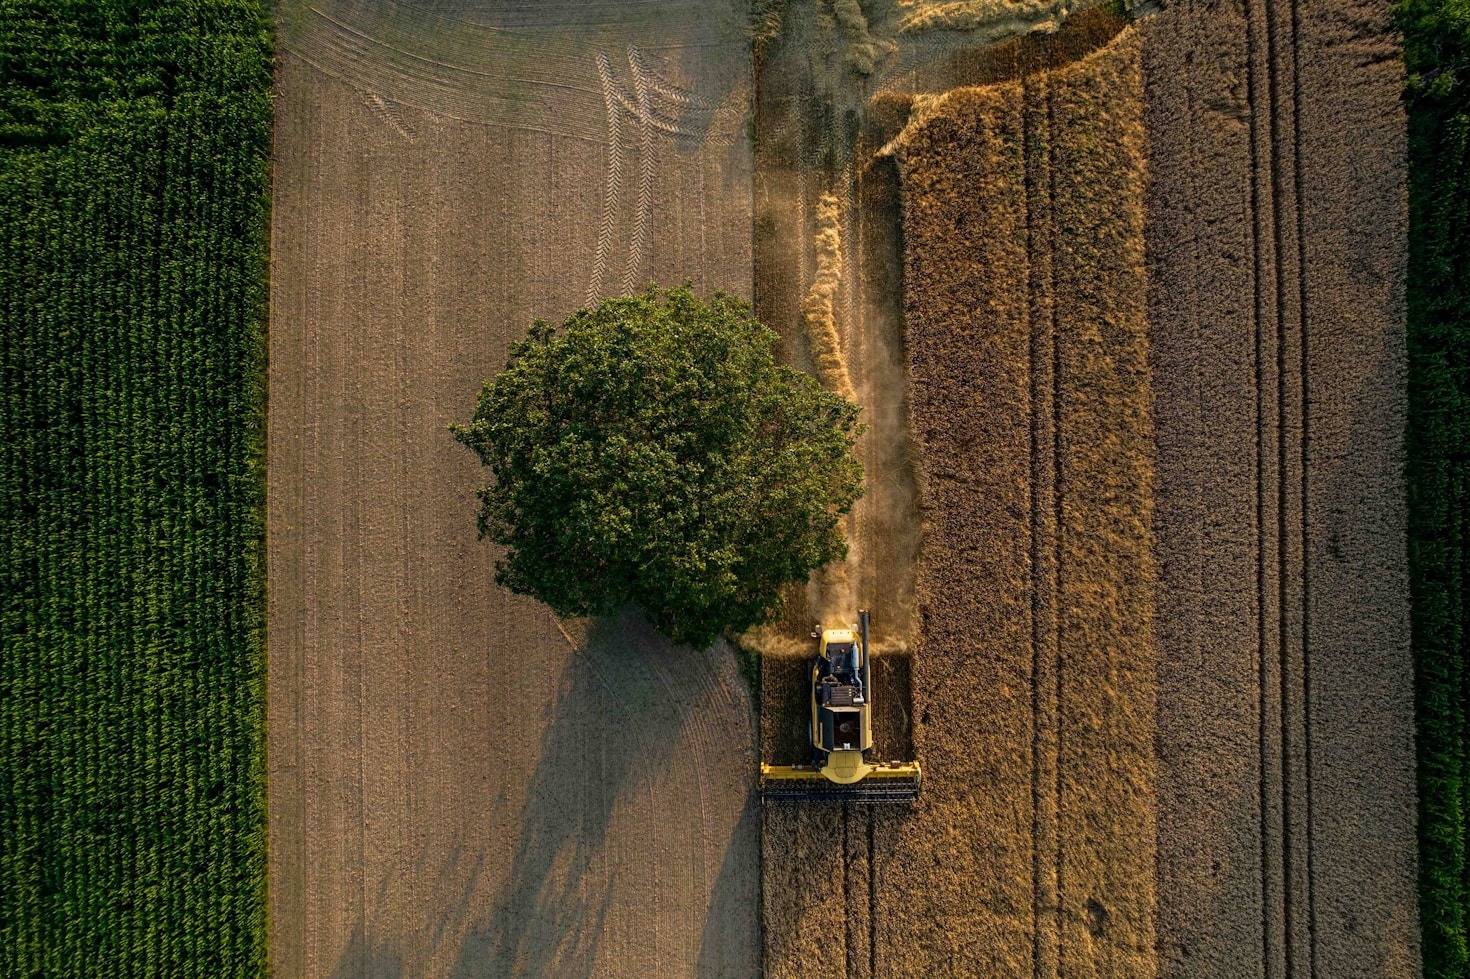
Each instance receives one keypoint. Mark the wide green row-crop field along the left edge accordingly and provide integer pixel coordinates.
(135, 140)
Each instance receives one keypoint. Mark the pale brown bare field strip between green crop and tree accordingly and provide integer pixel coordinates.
(461, 786)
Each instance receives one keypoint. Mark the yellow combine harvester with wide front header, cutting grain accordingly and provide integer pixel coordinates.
(843, 733)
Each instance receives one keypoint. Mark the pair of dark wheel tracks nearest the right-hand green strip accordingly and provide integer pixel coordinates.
(1281, 331)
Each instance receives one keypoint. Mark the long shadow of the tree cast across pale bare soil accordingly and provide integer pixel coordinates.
(618, 721)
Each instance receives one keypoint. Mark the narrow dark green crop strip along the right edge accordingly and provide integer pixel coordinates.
(1437, 55)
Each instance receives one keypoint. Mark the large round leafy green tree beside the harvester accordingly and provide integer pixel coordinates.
(652, 453)
